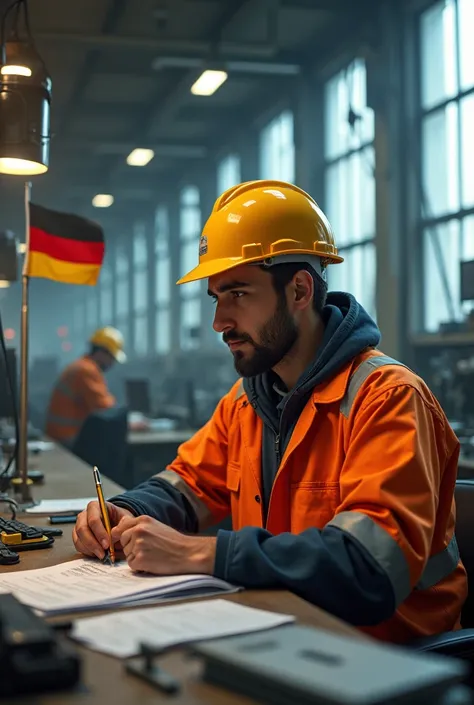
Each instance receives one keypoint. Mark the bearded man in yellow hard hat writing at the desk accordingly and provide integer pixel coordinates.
(337, 463)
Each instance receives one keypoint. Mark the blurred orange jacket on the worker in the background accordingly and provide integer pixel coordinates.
(80, 390)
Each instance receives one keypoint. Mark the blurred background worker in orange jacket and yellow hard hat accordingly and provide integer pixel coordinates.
(81, 389)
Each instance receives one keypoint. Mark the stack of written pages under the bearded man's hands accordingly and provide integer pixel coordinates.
(86, 584)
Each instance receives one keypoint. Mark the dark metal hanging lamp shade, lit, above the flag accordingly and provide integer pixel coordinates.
(25, 101)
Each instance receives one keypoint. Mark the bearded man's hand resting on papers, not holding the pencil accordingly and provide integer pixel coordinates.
(153, 547)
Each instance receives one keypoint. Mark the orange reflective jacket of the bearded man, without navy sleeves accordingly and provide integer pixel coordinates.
(371, 453)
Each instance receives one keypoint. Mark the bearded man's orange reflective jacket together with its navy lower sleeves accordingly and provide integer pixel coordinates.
(370, 469)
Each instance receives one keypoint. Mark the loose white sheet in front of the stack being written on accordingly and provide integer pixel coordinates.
(121, 634)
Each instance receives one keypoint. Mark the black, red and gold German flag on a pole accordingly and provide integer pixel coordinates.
(64, 247)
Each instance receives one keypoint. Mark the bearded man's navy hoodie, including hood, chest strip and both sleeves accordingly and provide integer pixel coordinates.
(327, 567)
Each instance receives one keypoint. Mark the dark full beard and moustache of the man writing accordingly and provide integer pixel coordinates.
(277, 337)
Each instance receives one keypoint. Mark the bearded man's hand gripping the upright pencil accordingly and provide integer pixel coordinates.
(89, 534)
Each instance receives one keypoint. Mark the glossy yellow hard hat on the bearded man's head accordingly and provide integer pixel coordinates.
(259, 221)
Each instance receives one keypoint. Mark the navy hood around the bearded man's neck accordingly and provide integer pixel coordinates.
(348, 331)
